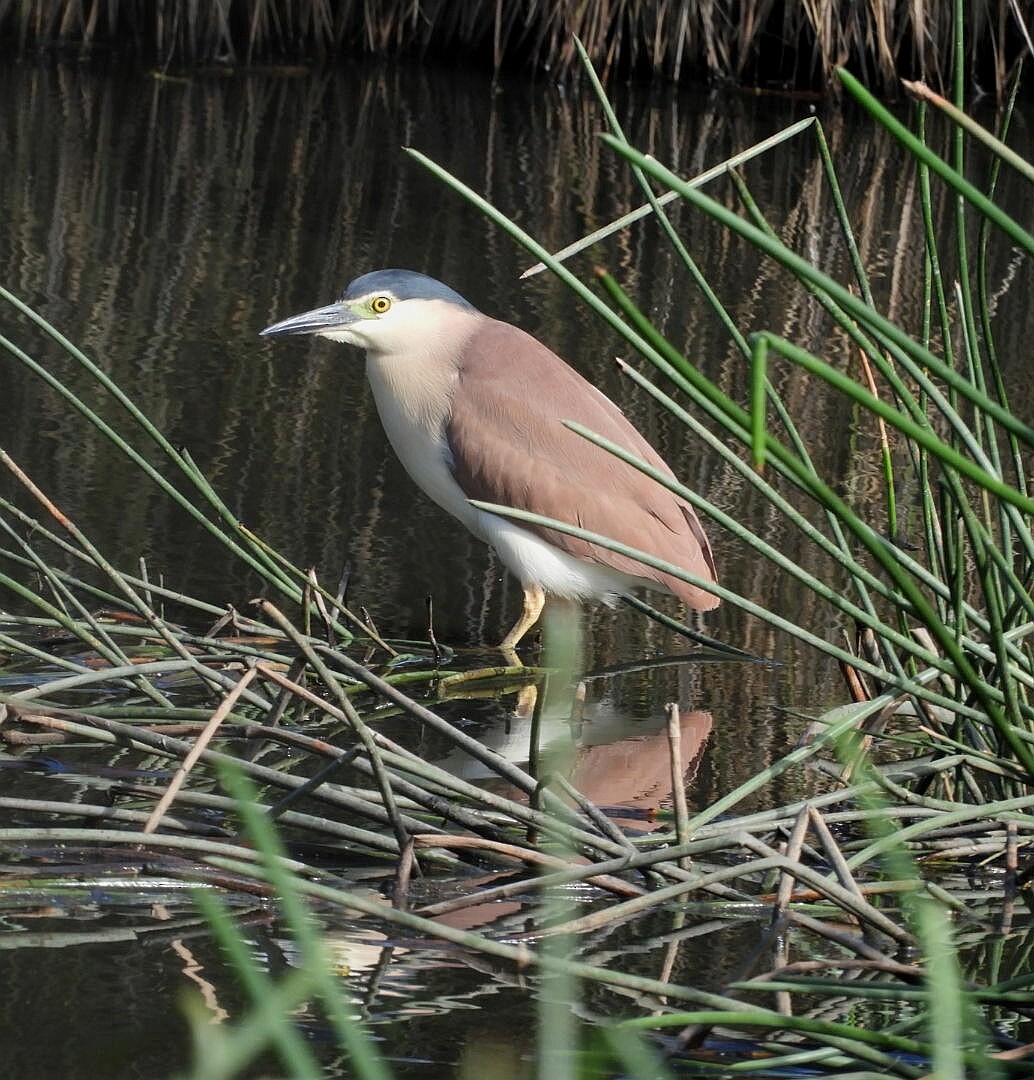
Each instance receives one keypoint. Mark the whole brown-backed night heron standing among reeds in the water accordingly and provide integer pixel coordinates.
(476, 409)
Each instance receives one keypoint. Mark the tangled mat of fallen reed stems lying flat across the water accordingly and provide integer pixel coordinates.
(289, 789)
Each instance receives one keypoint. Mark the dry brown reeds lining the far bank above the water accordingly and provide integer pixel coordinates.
(753, 42)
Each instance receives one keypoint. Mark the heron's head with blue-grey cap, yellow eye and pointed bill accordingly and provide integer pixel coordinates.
(386, 312)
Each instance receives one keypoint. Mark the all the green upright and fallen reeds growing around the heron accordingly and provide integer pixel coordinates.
(256, 762)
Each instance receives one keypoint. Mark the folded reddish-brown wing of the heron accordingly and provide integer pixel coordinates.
(511, 447)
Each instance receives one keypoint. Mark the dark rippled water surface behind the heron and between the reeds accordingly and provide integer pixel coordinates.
(162, 224)
